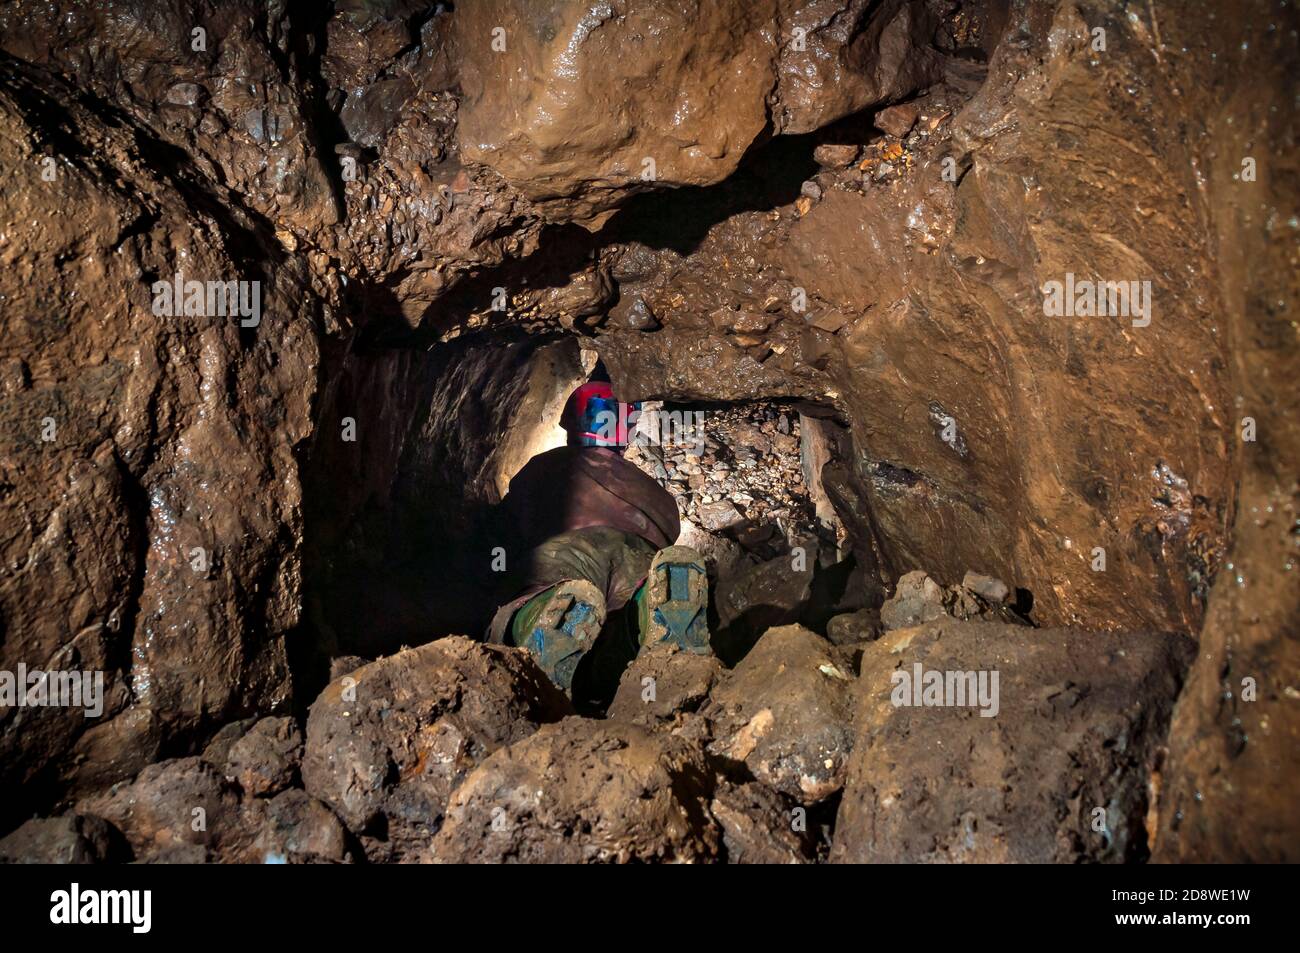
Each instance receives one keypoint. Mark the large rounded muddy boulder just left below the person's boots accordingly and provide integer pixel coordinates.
(388, 744)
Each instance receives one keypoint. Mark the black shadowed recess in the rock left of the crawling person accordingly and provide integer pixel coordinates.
(401, 523)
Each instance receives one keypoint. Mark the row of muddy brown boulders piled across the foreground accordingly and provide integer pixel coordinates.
(461, 752)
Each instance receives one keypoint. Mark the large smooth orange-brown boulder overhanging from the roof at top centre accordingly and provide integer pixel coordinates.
(570, 105)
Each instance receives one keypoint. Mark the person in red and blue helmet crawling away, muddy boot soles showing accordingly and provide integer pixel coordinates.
(590, 525)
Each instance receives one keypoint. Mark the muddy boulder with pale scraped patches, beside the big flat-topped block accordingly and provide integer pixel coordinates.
(786, 712)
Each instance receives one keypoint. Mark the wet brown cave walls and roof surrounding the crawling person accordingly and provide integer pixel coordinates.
(855, 207)
